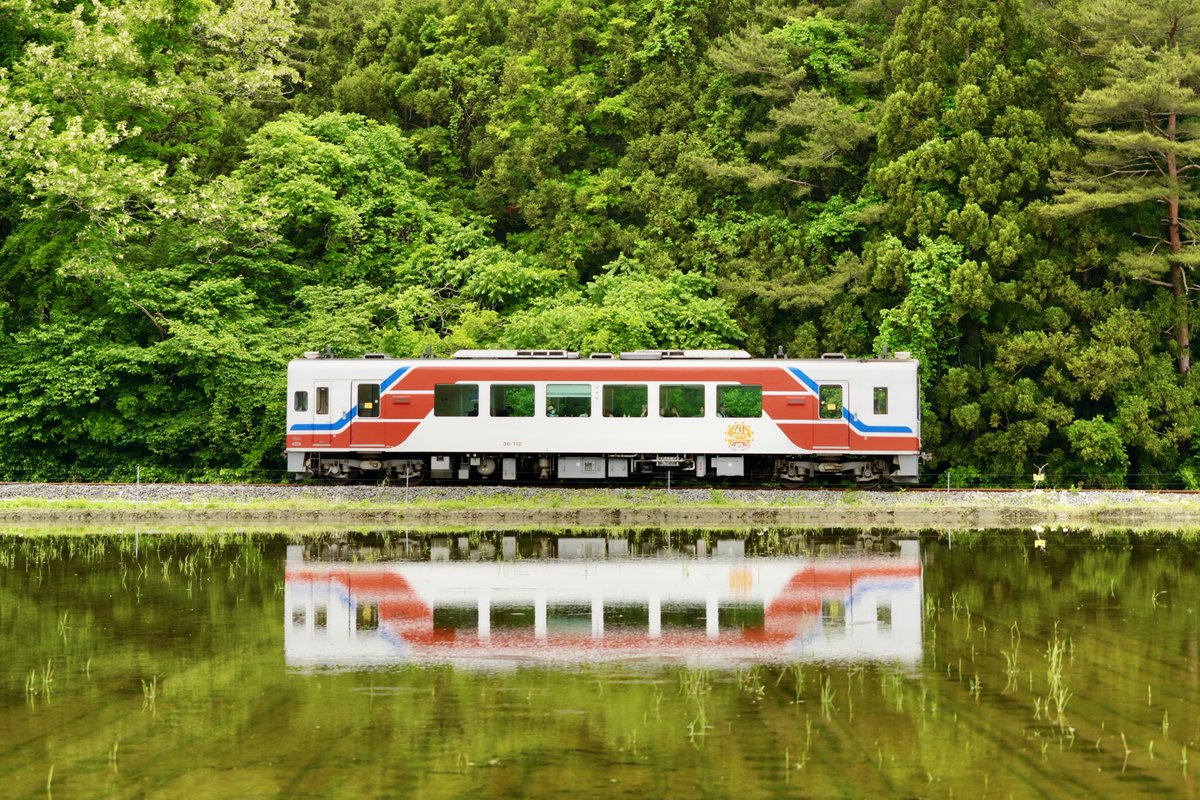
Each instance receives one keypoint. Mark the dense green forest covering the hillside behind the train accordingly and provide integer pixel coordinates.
(193, 193)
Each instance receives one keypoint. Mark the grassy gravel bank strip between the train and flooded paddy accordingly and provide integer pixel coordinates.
(290, 508)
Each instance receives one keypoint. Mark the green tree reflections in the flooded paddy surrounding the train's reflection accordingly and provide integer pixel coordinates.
(201, 616)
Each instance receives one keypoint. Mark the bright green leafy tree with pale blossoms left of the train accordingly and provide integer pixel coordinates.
(131, 274)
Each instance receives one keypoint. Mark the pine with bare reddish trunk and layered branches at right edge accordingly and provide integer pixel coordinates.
(1139, 125)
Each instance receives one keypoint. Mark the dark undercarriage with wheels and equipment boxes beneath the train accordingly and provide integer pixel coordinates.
(866, 471)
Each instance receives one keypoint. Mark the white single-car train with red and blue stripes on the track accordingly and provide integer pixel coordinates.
(521, 416)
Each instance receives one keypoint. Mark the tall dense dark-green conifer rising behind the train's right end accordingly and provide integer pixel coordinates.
(967, 272)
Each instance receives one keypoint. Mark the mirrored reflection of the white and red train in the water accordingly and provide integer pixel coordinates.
(590, 600)
